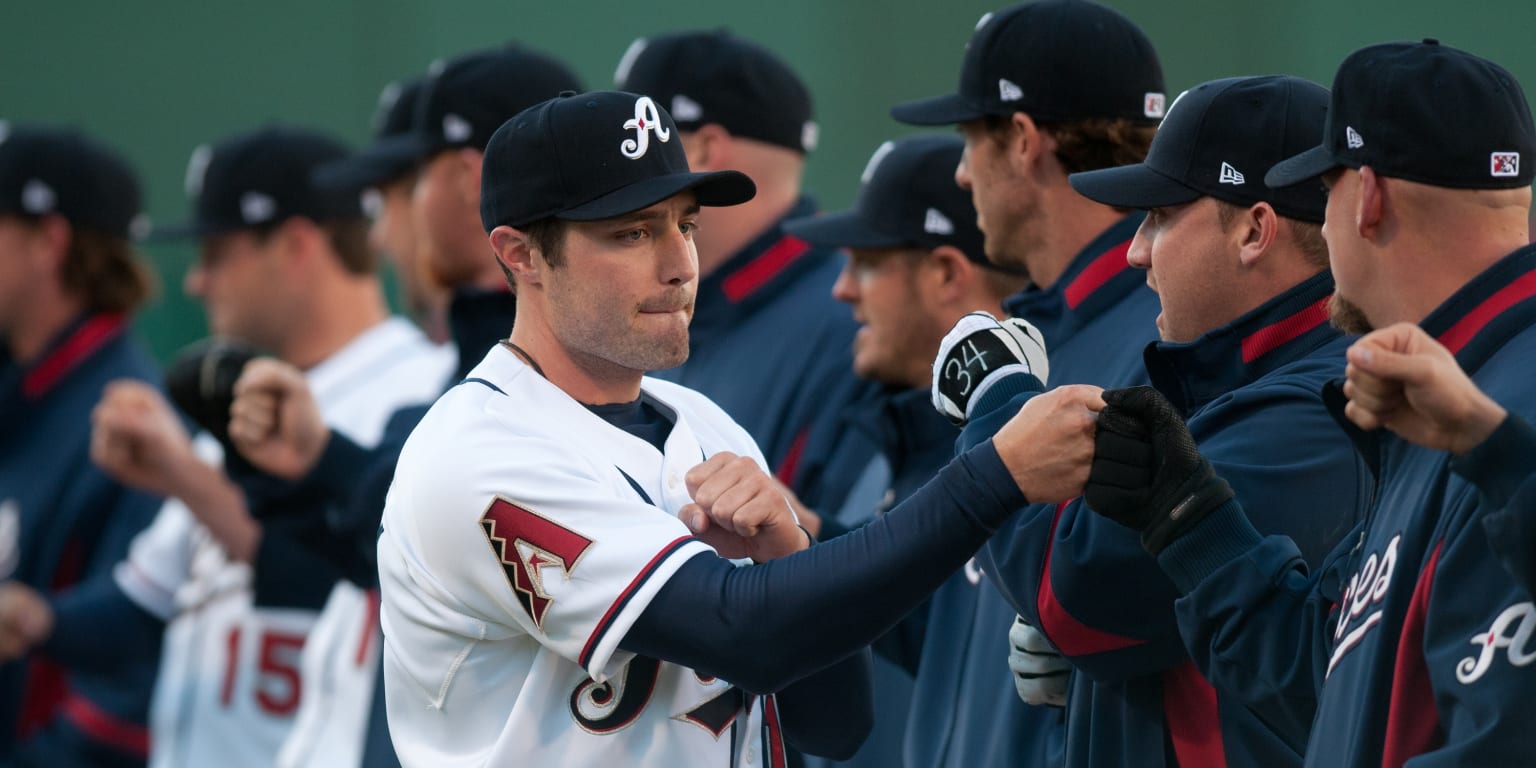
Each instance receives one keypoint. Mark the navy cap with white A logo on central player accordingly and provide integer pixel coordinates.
(591, 157)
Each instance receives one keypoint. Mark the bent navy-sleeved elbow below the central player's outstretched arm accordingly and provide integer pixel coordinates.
(830, 713)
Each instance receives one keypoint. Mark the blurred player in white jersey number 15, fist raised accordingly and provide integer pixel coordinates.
(230, 681)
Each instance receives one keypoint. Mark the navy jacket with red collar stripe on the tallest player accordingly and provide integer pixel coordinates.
(1096, 320)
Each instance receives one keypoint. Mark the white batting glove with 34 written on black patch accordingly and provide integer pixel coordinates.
(978, 354)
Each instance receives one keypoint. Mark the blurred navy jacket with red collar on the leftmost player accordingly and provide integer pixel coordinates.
(65, 523)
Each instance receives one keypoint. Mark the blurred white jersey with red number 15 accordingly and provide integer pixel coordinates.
(231, 680)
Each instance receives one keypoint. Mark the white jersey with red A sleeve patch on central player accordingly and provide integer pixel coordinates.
(523, 537)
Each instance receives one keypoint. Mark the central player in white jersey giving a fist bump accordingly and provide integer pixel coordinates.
(554, 548)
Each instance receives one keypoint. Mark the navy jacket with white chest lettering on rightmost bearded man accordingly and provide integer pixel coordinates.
(1411, 641)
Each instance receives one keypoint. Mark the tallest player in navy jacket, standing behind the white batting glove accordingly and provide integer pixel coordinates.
(1047, 90)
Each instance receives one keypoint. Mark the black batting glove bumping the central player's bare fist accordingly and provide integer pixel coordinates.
(1148, 475)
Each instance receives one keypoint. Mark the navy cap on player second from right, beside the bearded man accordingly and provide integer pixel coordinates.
(1217, 141)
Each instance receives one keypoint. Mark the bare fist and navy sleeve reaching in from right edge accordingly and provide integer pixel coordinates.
(1403, 380)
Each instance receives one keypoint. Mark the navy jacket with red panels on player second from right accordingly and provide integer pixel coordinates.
(1253, 397)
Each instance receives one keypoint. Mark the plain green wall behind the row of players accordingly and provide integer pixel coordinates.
(157, 78)
